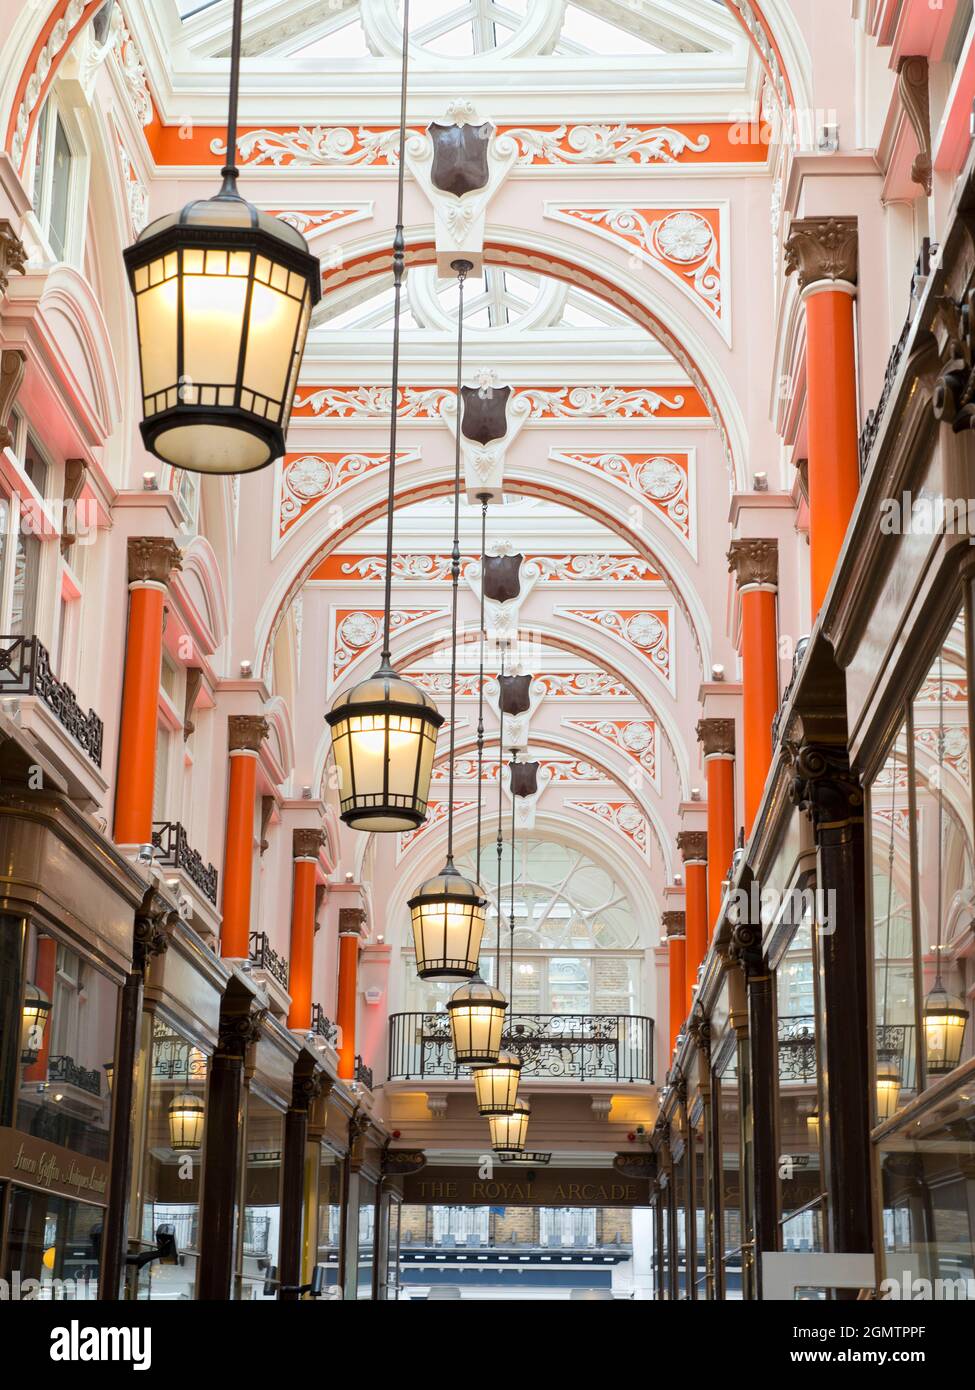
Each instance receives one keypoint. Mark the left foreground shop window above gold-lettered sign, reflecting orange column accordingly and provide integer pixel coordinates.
(67, 1049)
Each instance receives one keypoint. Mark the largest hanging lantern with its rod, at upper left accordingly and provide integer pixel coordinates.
(223, 300)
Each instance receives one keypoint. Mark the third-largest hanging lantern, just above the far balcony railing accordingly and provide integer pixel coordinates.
(449, 922)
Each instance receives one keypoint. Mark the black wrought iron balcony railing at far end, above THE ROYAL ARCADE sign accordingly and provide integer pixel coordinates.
(582, 1047)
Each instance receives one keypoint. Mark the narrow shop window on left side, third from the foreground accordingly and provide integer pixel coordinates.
(262, 1197)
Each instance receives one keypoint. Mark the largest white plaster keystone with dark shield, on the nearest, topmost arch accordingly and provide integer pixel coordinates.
(461, 163)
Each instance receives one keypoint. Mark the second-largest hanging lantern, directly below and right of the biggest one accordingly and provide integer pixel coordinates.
(385, 739)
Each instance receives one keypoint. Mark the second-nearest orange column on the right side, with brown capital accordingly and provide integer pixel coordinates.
(757, 569)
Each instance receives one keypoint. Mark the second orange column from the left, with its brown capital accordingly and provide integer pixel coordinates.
(247, 735)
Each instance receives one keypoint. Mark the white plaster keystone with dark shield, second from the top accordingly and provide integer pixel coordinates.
(483, 451)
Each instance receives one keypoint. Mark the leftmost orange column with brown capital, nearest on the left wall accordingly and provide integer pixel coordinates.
(151, 559)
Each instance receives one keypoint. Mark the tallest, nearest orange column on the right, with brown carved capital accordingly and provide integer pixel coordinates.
(824, 252)
